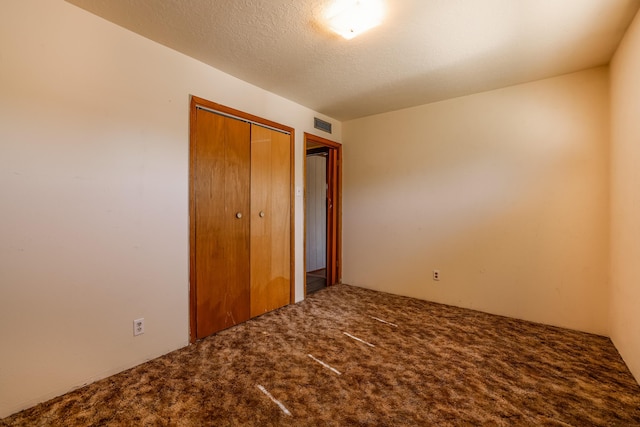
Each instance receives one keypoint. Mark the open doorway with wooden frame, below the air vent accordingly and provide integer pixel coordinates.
(323, 159)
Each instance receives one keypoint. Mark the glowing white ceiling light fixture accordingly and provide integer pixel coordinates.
(350, 18)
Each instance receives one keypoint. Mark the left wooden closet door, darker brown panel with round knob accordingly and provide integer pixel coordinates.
(222, 217)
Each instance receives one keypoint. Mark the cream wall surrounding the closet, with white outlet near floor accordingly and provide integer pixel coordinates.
(94, 232)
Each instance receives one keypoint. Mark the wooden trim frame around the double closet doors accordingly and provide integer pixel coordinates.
(241, 115)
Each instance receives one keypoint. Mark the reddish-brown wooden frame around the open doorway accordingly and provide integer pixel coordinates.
(334, 209)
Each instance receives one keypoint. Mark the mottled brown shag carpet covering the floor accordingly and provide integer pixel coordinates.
(434, 365)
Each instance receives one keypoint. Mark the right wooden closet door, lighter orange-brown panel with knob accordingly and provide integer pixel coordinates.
(270, 220)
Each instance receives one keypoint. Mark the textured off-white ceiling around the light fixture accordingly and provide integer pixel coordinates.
(424, 51)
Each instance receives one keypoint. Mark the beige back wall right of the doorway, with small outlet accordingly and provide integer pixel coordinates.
(505, 192)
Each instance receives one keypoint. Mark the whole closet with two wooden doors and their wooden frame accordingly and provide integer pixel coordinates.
(240, 176)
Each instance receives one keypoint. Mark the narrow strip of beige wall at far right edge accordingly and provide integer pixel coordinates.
(625, 198)
